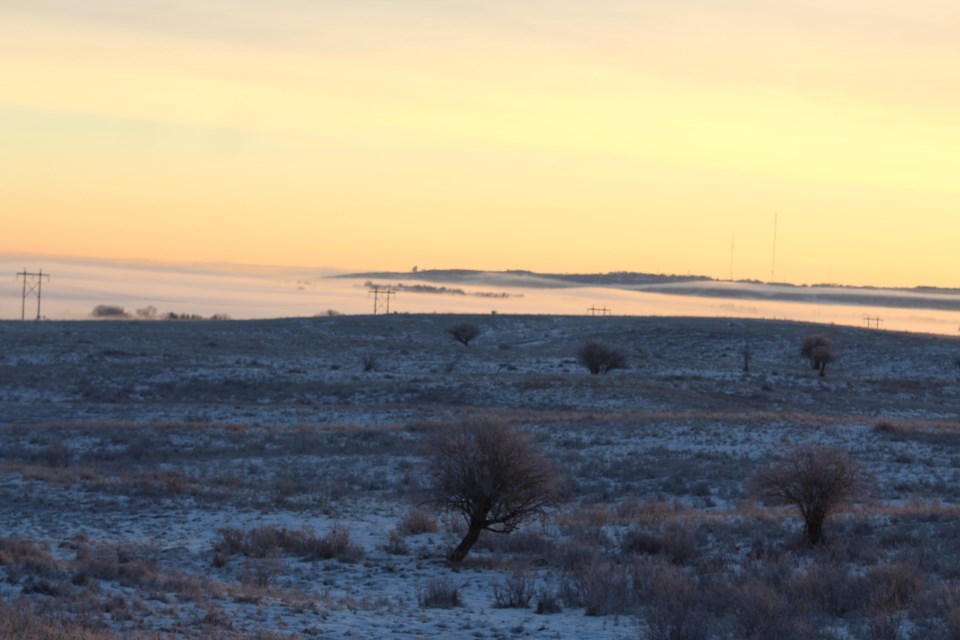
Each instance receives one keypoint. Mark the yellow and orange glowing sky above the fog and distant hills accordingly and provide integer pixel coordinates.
(797, 141)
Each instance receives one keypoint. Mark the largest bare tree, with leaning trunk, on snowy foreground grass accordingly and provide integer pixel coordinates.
(495, 476)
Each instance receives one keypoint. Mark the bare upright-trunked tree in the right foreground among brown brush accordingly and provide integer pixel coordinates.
(816, 480)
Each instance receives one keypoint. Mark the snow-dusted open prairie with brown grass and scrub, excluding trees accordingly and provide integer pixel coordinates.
(234, 479)
